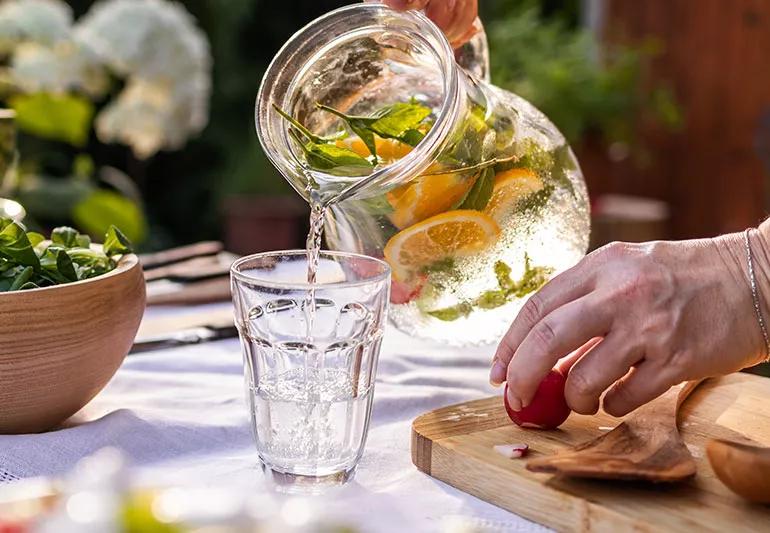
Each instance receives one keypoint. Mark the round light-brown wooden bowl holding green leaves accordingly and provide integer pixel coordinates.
(59, 346)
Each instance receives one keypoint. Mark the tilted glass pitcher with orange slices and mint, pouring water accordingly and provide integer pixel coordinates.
(474, 209)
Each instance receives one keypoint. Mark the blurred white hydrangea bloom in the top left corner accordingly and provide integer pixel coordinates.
(42, 21)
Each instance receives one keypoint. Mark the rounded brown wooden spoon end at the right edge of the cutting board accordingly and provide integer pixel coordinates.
(744, 469)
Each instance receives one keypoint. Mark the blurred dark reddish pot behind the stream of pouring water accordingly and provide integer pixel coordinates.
(264, 223)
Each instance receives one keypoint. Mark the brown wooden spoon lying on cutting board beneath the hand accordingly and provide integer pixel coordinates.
(646, 446)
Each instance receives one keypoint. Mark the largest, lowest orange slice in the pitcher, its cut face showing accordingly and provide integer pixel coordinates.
(452, 234)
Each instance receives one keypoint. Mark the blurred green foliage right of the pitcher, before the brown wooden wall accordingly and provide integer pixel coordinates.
(541, 52)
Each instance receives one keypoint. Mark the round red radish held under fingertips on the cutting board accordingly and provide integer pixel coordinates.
(548, 409)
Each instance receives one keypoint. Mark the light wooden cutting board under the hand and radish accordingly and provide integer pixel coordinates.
(454, 444)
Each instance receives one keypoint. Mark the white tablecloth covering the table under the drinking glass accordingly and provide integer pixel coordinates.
(181, 418)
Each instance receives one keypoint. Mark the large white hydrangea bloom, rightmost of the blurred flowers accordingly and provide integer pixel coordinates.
(157, 45)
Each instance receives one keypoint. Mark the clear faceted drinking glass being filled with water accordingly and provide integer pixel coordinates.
(310, 357)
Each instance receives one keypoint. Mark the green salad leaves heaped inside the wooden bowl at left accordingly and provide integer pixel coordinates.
(29, 261)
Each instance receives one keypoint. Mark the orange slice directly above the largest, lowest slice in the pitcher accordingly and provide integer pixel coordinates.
(426, 196)
